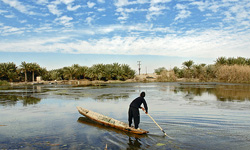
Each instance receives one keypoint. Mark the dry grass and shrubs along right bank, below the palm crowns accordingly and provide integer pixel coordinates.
(212, 73)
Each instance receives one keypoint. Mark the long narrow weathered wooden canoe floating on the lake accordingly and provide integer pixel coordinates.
(110, 122)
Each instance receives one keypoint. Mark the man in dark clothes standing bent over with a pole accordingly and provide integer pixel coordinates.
(133, 111)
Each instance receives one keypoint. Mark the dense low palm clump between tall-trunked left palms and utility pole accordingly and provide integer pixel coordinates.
(103, 72)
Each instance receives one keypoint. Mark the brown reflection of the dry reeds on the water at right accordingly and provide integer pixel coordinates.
(222, 92)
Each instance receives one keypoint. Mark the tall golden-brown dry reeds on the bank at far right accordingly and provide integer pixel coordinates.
(234, 74)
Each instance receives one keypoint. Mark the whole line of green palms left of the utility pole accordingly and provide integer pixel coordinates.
(27, 72)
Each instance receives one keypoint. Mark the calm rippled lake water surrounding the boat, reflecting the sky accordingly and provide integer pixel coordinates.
(207, 117)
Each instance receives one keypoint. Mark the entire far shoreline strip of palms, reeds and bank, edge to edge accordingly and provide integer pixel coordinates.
(225, 70)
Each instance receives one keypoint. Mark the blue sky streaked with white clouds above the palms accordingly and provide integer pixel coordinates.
(158, 33)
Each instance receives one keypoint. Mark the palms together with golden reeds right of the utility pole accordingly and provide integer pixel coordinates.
(223, 70)
